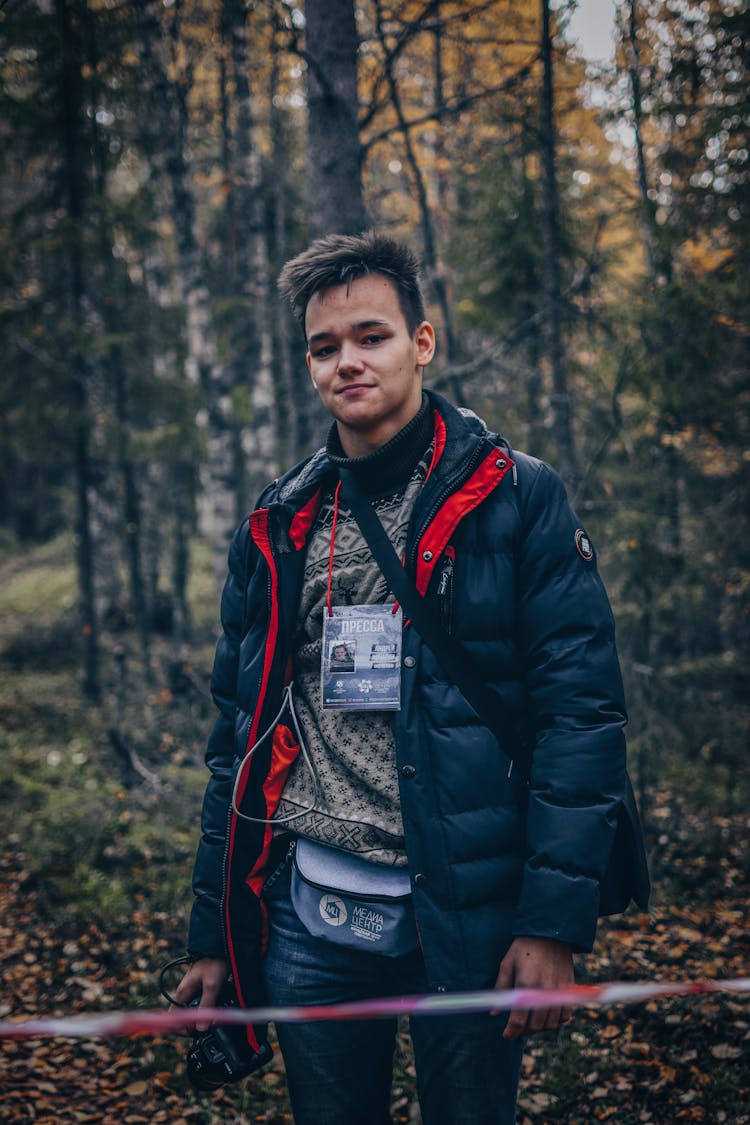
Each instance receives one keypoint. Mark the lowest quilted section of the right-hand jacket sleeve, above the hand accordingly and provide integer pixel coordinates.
(559, 907)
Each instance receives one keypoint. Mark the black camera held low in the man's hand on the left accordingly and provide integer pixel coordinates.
(222, 1055)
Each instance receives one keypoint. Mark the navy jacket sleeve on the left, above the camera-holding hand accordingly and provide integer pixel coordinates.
(206, 932)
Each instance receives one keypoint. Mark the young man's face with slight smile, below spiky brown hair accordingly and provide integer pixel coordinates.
(364, 362)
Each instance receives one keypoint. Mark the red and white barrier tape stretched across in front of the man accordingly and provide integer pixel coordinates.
(159, 1022)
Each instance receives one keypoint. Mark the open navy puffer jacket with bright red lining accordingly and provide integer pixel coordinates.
(501, 557)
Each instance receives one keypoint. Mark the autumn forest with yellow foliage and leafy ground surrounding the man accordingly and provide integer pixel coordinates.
(583, 228)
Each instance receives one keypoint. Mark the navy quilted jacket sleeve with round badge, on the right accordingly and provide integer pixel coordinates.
(577, 714)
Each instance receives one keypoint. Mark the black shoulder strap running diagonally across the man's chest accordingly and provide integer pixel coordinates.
(458, 664)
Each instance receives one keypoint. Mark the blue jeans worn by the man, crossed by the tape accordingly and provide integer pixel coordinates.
(339, 1073)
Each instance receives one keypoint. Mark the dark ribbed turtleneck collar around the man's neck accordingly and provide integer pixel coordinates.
(392, 465)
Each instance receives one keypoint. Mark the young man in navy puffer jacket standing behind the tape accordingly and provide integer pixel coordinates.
(507, 868)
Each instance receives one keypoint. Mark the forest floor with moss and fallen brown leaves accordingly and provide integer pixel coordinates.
(95, 892)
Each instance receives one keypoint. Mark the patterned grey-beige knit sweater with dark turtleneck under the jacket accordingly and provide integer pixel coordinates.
(354, 800)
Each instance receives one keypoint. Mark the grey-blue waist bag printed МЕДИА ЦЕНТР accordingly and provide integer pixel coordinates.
(353, 903)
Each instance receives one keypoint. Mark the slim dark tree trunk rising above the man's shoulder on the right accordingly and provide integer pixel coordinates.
(562, 411)
